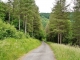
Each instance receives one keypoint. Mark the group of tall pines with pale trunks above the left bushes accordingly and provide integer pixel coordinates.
(27, 13)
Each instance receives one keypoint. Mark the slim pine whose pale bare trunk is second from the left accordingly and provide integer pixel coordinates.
(17, 10)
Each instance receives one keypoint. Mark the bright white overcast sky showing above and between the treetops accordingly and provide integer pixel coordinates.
(46, 5)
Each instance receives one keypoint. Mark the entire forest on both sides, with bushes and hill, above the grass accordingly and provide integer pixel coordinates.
(61, 25)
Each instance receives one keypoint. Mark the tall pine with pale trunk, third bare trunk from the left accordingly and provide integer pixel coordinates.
(26, 7)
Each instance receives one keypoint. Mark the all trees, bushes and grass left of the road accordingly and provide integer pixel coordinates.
(20, 27)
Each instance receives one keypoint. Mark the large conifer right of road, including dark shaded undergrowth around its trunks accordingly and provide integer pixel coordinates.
(58, 26)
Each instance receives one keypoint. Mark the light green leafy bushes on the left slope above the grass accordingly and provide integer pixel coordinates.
(6, 30)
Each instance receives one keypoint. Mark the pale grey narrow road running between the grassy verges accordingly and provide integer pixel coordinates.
(41, 53)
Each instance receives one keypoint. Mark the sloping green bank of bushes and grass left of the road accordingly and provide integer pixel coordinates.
(14, 43)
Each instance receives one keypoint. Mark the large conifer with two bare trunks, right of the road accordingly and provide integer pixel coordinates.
(58, 19)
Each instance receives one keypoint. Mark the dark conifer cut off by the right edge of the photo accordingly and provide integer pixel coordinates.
(76, 20)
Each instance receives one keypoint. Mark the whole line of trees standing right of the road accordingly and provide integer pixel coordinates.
(64, 26)
